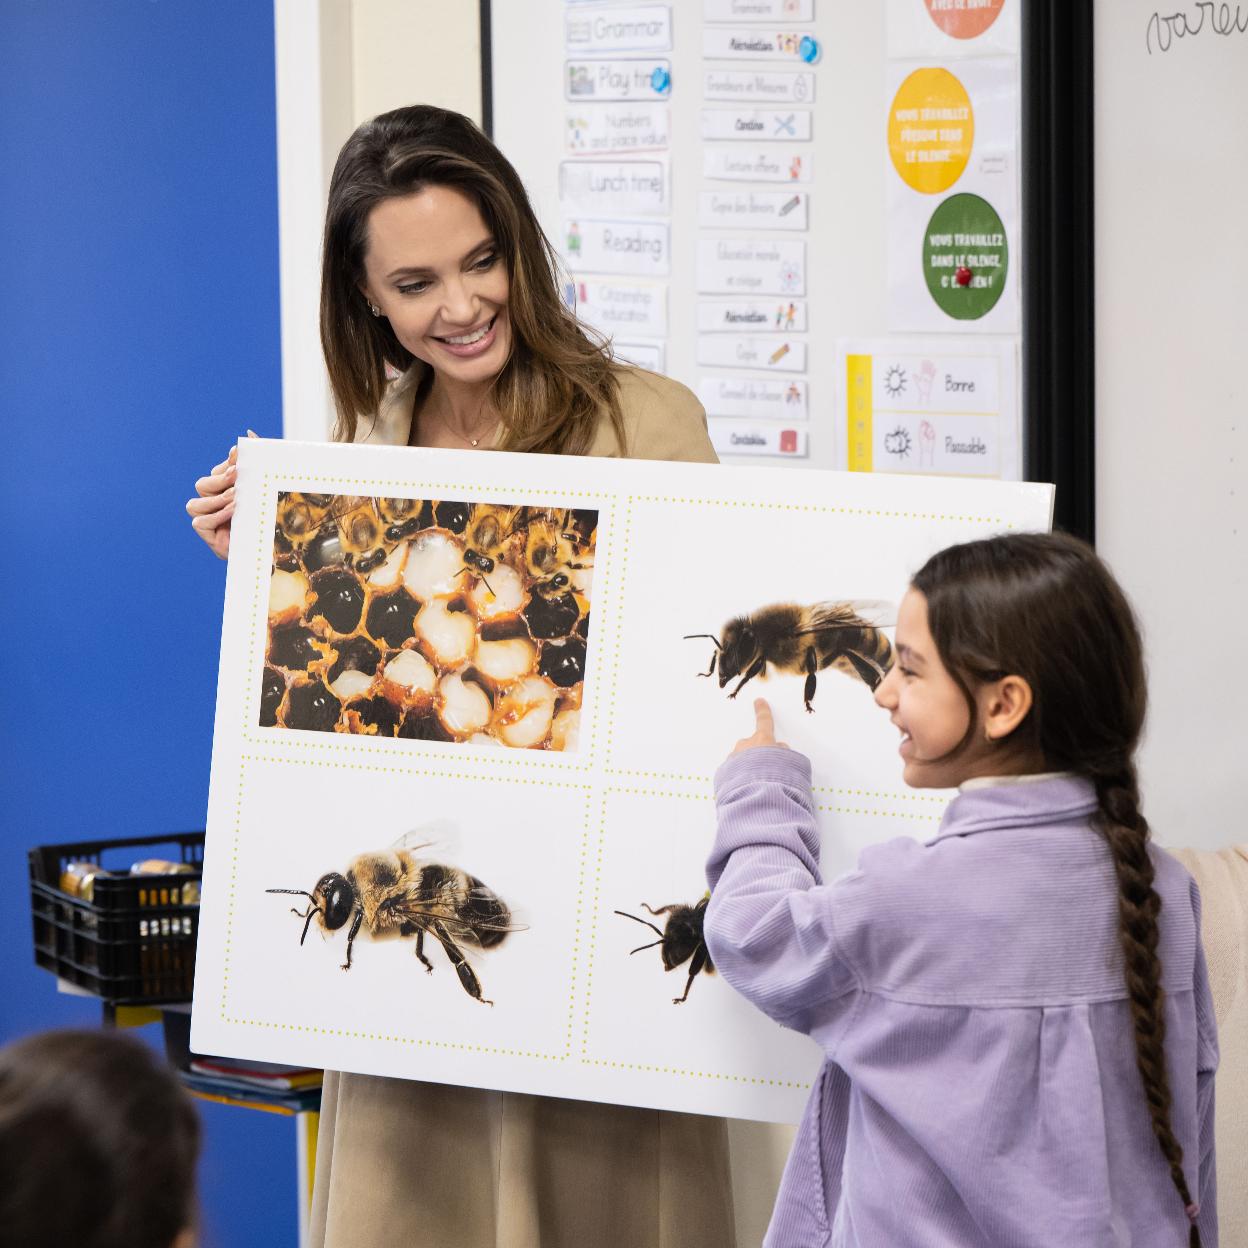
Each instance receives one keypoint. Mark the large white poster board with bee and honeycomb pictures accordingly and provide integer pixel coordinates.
(500, 685)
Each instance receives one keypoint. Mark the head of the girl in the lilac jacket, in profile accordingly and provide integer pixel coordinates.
(1016, 655)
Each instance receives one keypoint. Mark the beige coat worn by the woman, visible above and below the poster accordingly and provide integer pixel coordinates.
(435, 1166)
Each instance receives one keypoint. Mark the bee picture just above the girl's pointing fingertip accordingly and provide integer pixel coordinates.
(804, 640)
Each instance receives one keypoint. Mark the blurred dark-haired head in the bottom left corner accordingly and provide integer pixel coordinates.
(98, 1145)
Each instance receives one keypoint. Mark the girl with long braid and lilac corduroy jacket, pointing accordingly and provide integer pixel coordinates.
(1019, 1036)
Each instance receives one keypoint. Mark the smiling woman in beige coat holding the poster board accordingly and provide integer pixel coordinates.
(435, 266)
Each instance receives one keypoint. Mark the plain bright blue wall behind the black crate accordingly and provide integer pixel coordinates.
(139, 323)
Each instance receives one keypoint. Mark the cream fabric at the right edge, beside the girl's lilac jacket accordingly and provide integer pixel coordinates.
(1222, 877)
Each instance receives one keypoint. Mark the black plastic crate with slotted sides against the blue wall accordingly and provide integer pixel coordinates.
(134, 942)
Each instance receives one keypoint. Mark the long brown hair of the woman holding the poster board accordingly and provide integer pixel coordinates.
(558, 385)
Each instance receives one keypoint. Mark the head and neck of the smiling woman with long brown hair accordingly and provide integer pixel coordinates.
(435, 264)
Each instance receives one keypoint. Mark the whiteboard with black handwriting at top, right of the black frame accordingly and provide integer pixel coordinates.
(1172, 451)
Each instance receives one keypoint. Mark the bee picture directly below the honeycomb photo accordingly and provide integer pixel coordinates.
(395, 892)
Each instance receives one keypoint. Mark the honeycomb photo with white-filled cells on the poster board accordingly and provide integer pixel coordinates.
(429, 620)
